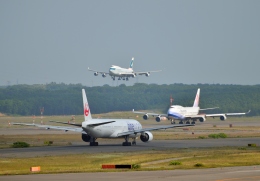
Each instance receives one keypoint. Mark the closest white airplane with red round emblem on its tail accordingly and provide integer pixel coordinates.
(91, 129)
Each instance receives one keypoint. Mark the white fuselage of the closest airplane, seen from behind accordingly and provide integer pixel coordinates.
(110, 130)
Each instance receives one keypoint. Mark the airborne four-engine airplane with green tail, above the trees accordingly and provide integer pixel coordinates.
(122, 73)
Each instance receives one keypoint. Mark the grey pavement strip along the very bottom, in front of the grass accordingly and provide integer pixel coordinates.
(212, 174)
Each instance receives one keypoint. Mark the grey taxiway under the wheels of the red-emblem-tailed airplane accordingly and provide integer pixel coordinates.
(113, 146)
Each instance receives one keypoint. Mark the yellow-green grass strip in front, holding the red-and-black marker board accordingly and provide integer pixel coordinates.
(148, 160)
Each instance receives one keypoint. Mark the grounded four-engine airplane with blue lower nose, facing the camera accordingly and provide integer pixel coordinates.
(187, 114)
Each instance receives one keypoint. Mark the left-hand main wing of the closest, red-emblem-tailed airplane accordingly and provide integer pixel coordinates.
(52, 127)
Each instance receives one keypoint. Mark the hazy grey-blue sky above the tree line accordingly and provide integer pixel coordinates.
(193, 42)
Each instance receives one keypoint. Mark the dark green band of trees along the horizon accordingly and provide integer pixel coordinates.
(66, 99)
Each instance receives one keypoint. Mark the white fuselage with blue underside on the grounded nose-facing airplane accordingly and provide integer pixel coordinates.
(179, 112)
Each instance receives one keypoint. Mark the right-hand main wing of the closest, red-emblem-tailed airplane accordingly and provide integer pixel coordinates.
(151, 129)
